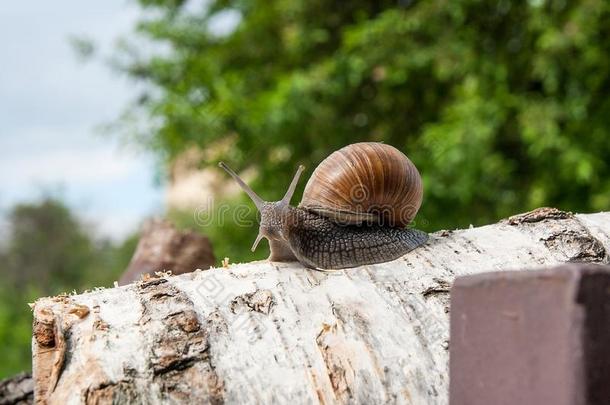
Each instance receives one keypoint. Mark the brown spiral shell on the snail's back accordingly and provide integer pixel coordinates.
(365, 182)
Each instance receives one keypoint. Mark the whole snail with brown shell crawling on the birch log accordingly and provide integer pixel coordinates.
(354, 210)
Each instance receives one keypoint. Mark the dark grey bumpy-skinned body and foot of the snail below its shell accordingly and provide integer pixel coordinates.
(322, 244)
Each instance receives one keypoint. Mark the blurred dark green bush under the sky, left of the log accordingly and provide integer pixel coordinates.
(48, 252)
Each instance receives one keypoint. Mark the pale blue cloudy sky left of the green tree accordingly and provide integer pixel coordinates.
(52, 104)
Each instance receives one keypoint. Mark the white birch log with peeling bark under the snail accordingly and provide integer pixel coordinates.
(278, 333)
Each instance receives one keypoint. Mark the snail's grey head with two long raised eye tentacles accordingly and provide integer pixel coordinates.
(274, 213)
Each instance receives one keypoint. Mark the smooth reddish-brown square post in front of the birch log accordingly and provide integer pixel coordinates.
(531, 337)
